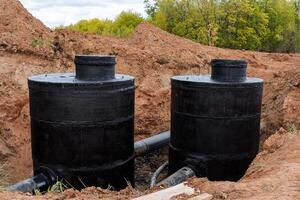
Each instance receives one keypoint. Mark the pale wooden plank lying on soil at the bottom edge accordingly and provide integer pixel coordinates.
(168, 193)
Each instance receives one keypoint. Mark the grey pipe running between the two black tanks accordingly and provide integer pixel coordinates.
(147, 145)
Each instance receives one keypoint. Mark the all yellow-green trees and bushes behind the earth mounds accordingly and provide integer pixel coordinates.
(261, 25)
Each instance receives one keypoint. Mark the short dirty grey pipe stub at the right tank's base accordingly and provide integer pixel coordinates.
(178, 177)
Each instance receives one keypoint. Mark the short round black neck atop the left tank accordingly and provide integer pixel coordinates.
(95, 67)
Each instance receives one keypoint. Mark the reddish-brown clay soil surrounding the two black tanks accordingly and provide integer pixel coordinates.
(28, 47)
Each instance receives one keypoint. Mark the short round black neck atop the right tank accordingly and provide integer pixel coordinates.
(229, 70)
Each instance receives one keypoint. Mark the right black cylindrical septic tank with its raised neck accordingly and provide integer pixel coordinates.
(215, 121)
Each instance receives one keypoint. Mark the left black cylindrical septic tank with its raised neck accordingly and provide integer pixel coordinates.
(82, 125)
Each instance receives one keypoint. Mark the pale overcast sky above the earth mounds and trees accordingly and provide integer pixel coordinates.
(64, 12)
